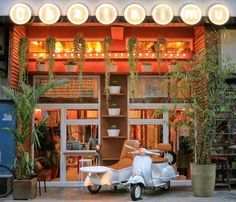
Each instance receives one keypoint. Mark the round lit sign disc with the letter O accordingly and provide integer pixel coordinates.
(20, 13)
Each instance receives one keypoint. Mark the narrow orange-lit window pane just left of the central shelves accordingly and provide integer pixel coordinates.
(82, 114)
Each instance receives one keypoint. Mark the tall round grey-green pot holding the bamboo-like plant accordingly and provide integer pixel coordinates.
(203, 179)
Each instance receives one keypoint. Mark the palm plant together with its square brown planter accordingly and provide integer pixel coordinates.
(25, 100)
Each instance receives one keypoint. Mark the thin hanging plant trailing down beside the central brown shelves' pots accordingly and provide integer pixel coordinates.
(107, 48)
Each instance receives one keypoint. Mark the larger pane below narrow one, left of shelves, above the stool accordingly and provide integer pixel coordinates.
(81, 137)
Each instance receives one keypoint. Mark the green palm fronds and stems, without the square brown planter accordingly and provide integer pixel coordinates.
(25, 100)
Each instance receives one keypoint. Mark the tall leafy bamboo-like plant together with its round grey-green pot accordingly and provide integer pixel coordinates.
(201, 88)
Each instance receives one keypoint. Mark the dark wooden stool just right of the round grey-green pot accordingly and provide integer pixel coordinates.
(222, 162)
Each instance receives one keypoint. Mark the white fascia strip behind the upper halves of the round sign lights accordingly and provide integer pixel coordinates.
(5, 5)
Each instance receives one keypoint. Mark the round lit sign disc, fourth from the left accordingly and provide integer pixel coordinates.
(106, 13)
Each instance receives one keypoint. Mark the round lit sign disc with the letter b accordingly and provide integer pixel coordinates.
(49, 13)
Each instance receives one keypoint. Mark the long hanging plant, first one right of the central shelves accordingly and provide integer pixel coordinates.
(133, 63)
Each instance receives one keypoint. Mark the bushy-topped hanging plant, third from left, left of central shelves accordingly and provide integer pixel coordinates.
(79, 55)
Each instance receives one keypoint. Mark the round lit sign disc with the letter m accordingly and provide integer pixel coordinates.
(191, 14)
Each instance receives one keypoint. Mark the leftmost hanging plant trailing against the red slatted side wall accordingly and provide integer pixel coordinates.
(23, 50)
